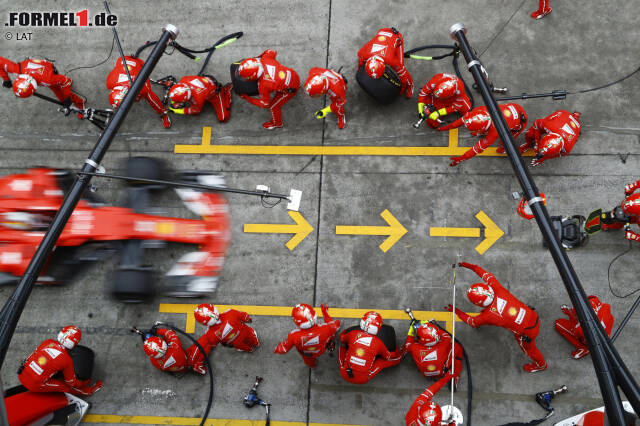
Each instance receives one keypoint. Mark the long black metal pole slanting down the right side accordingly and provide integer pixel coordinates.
(602, 365)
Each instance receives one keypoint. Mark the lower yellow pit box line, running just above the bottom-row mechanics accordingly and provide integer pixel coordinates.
(285, 311)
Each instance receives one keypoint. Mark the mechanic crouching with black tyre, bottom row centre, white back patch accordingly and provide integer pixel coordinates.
(362, 354)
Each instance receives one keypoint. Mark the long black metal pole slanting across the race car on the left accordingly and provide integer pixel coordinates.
(13, 307)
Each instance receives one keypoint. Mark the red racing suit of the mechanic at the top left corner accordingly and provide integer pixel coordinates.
(45, 74)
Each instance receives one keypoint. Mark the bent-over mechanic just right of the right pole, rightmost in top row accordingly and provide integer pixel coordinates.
(552, 136)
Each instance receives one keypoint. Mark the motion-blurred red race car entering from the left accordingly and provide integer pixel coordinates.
(28, 202)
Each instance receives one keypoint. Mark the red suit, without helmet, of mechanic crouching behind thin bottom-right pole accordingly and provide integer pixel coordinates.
(435, 361)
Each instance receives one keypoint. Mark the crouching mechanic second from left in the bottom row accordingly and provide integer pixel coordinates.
(165, 351)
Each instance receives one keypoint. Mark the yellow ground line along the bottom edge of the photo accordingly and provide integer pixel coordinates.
(187, 421)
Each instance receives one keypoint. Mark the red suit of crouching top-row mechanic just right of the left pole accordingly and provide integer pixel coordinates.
(204, 89)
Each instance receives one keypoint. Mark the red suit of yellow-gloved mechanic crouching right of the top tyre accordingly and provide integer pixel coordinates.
(459, 102)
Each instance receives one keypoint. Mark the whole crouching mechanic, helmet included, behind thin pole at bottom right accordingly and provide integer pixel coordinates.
(430, 348)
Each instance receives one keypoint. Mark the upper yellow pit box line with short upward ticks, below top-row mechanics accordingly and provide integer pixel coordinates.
(451, 150)
